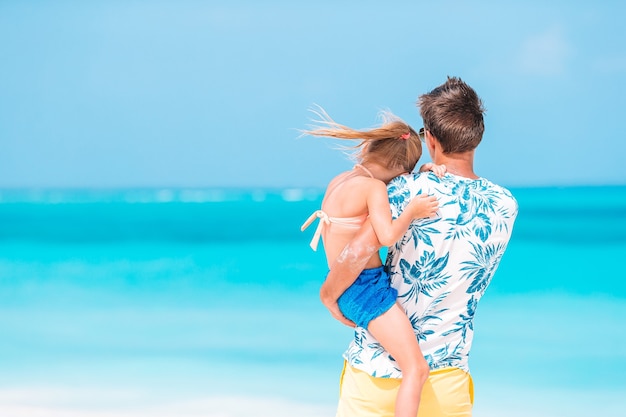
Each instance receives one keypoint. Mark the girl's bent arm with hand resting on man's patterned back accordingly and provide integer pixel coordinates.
(387, 229)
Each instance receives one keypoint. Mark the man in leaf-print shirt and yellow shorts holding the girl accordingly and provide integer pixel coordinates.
(440, 268)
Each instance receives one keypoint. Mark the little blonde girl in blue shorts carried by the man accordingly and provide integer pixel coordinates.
(354, 196)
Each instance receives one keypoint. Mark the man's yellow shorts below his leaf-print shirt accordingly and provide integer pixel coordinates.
(447, 392)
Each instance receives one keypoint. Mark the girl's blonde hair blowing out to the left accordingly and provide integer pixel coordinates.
(394, 144)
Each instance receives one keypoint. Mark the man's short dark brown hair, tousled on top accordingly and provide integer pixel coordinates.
(453, 113)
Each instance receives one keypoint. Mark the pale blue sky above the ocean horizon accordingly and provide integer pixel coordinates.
(210, 93)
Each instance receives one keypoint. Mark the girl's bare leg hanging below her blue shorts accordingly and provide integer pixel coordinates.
(394, 332)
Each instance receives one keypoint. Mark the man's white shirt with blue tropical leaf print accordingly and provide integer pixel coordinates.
(441, 268)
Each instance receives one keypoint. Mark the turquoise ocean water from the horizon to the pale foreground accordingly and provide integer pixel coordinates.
(204, 302)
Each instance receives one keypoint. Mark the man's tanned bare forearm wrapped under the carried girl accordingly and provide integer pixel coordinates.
(347, 267)
